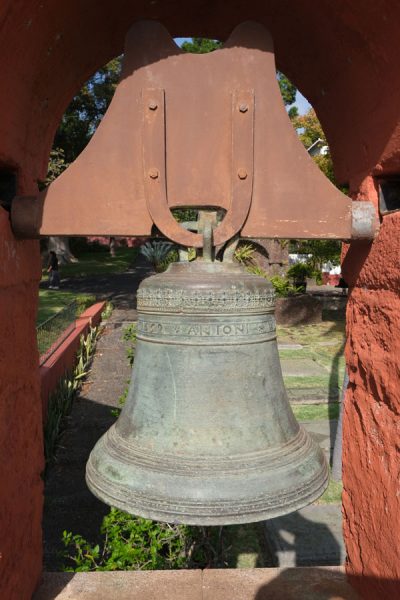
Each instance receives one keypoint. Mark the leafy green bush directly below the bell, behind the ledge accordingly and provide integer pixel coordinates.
(133, 543)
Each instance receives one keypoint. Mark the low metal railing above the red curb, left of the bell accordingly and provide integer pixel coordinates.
(52, 332)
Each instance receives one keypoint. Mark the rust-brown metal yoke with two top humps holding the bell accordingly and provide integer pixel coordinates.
(187, 130)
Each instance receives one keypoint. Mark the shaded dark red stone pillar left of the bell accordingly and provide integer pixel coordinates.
(21, 444)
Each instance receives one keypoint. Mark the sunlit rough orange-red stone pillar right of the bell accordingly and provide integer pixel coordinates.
(371, 425)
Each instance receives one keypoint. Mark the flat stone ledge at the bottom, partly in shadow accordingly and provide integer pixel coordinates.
(302, 583)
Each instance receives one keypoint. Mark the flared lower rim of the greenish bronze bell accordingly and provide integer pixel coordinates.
(213, 496)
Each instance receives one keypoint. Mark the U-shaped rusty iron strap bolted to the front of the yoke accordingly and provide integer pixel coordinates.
(155, 176)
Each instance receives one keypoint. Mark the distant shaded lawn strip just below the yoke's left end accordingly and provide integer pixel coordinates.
(99, 262)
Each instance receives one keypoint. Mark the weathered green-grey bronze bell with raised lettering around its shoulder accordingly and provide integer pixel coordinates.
(207, 435)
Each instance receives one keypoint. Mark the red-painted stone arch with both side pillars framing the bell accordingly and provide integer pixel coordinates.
(344, 57)
